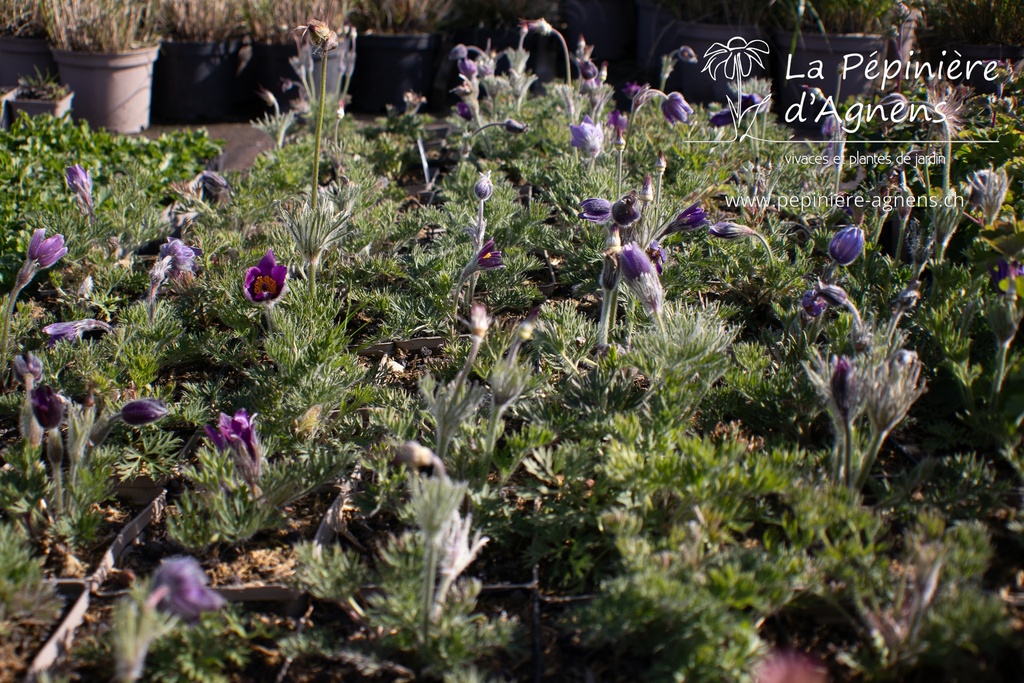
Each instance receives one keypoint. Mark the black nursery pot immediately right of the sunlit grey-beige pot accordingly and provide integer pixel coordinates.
(193, 81)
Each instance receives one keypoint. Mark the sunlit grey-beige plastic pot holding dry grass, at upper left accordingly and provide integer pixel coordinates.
(112, 92)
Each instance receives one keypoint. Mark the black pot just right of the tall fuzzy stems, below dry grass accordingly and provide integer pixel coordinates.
(389, 67)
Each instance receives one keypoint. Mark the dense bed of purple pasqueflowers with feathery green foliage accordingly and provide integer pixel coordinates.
(562, 395)
